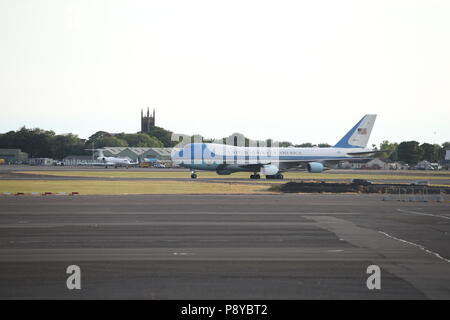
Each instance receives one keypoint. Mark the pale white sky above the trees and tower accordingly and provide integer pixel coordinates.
(301, 71)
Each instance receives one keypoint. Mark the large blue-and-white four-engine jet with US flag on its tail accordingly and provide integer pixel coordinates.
(272, 161)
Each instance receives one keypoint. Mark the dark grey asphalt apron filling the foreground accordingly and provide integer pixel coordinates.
(223, 247)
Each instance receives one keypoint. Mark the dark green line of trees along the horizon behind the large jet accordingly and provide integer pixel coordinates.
(39, 143)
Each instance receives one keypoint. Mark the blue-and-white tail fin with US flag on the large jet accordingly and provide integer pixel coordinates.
(358, 136)
